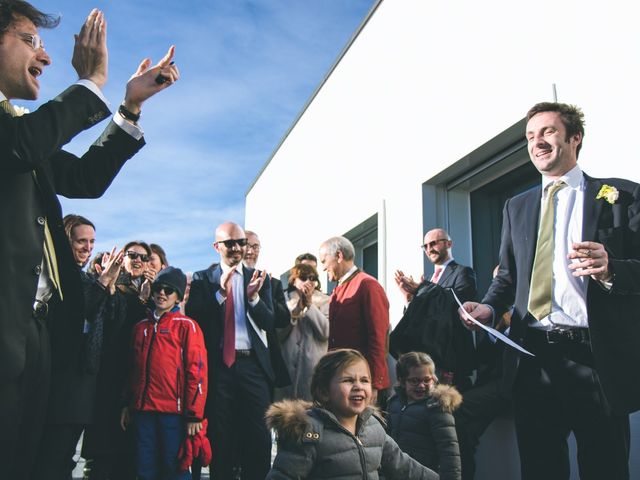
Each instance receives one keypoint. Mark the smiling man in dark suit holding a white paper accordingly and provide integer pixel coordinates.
(570, 265)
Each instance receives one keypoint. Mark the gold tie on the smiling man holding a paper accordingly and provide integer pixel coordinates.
(541, 285)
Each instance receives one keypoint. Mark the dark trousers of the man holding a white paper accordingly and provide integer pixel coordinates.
(558, 392)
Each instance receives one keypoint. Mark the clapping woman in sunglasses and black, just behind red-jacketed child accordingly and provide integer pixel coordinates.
(109, 451)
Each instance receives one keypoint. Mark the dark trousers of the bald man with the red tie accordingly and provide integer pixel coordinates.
(242, 396)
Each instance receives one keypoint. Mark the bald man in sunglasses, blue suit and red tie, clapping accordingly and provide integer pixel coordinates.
(233, 305)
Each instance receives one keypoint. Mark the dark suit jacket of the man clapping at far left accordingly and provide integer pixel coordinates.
(29, 143)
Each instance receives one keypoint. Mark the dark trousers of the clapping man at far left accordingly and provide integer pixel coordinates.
(23, 404)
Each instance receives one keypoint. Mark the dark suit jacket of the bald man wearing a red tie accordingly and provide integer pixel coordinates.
(203, 307)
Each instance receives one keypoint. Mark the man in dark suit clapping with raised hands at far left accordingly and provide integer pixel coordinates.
(40, 283)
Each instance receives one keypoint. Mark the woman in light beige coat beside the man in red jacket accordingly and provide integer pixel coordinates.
(304, 341)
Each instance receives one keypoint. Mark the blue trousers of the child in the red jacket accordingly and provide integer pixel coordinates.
(158, 439)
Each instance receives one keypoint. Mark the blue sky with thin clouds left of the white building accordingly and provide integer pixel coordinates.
(247, 69)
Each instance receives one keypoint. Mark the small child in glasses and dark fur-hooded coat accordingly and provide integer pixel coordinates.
(420, 416)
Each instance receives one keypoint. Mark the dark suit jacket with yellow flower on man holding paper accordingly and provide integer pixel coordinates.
(613, 315)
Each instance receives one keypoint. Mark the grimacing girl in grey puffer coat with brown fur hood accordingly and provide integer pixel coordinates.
(341, 437)
